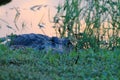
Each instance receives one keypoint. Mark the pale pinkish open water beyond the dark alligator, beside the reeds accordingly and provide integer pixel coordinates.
(23, 16)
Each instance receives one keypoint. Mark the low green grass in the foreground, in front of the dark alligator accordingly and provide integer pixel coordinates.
(29, 64)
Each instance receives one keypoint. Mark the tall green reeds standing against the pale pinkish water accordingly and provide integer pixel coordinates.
(102, 23)
